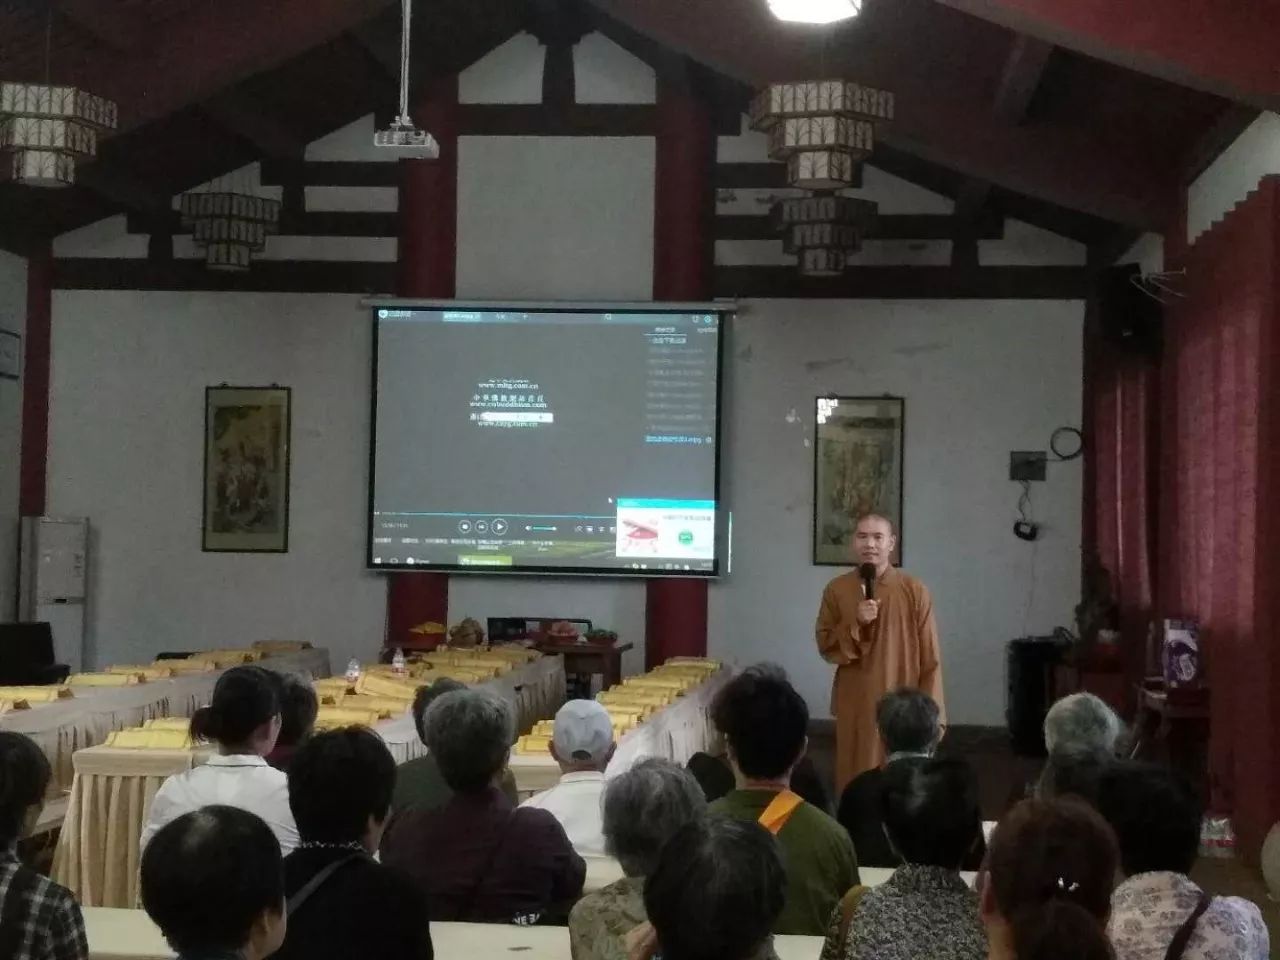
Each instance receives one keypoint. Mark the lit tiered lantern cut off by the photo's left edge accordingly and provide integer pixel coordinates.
(45, 131)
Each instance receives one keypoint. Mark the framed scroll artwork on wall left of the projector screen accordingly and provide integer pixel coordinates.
(246, 469)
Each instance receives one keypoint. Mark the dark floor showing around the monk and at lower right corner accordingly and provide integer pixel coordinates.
(1003, 776)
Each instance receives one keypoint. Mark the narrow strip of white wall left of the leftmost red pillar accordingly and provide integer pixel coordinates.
(13, 319)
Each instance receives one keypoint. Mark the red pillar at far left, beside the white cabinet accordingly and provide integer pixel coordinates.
(34, 467)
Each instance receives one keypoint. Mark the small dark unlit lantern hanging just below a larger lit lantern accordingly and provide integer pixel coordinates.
(824, 232)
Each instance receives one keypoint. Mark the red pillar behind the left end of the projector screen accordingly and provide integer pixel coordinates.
(427, 269)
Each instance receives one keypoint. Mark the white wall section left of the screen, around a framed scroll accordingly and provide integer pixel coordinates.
(126, 450)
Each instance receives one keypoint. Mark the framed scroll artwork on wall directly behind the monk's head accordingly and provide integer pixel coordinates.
(858, 470)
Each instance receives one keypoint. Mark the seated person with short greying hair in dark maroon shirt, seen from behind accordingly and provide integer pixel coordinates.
(481, 858)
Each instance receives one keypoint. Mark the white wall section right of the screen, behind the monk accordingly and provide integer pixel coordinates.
(981, 380)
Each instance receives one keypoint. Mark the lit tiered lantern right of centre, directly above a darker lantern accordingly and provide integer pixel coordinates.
(824, 130)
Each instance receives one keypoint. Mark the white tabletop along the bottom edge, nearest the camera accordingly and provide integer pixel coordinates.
(130, 935)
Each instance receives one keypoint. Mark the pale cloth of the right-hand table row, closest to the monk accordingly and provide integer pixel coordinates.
(675, 733)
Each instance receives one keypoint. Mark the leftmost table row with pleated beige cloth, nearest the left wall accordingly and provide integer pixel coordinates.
(63, 728)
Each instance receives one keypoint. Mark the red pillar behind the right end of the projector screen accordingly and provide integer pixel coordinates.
(683, 257)
